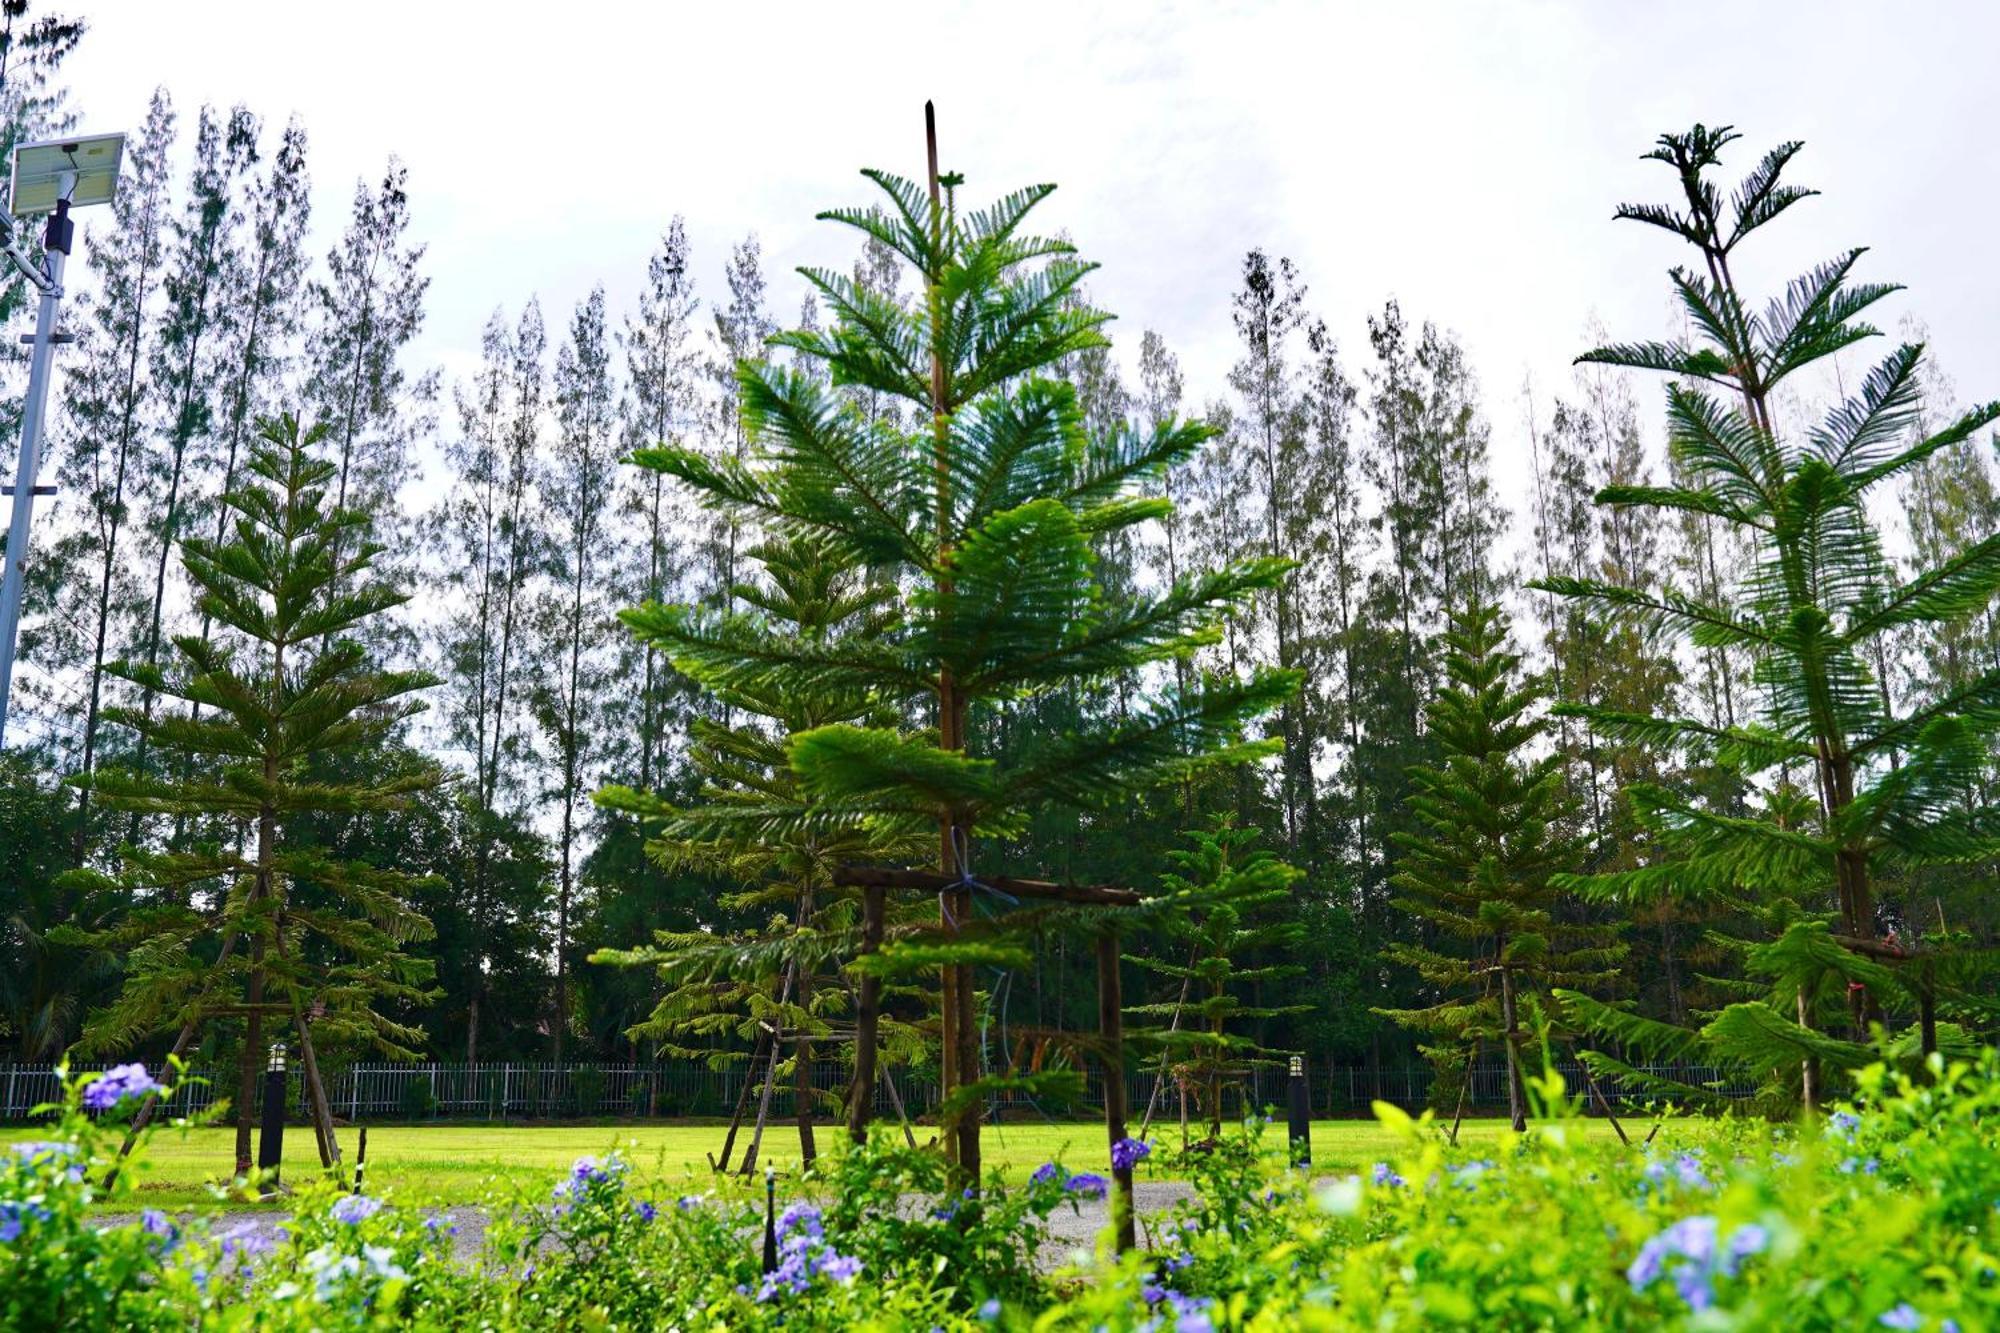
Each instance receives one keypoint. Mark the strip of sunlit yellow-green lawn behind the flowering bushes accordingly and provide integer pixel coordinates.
(469, 1164)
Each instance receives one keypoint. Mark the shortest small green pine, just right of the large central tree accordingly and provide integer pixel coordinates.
(1217, 888)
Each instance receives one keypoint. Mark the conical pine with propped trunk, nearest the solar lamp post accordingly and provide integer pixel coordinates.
(291, 583)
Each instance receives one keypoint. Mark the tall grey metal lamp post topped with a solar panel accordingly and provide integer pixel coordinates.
(51, 179)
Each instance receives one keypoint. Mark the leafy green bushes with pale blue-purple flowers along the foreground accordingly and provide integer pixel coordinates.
(1725, 1224)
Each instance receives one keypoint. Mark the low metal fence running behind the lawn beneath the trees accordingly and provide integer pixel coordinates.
(683, 1090)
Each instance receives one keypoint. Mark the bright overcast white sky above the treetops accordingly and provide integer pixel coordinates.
(1463, 159)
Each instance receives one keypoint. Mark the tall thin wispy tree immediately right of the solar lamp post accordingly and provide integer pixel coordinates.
(111, 399)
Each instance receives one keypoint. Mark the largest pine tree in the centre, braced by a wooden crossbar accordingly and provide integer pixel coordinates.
(989, 509)
